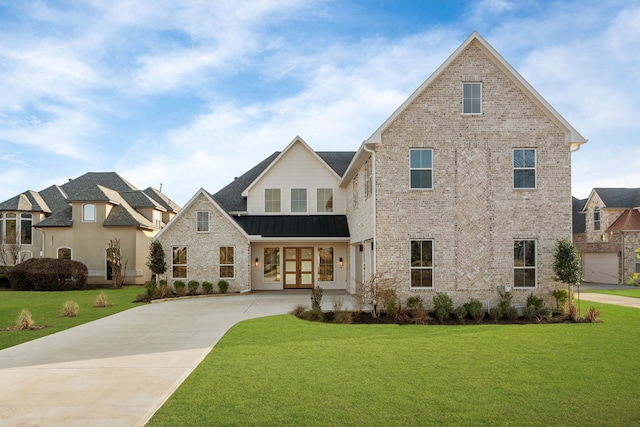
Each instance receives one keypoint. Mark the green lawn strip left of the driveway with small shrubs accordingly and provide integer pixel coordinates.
(45, 308)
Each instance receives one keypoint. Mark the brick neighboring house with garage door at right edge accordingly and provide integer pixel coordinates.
(607, 234)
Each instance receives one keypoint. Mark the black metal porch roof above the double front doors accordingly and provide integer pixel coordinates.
(312, 226)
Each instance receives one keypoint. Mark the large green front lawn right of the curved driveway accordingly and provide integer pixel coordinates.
(287, 372)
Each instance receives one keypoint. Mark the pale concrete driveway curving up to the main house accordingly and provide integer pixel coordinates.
(119, 370)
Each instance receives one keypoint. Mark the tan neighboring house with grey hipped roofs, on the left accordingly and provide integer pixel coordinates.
(76, 220)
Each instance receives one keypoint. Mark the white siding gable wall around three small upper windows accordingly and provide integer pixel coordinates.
(297, 168)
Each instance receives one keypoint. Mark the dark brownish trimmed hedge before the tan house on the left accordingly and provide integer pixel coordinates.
(48, 274)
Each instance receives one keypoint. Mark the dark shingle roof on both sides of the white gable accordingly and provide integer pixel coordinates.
(230, 197)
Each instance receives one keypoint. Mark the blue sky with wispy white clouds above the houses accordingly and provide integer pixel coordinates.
(189, 94)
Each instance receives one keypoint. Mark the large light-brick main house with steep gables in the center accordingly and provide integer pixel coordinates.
(464, 189)
